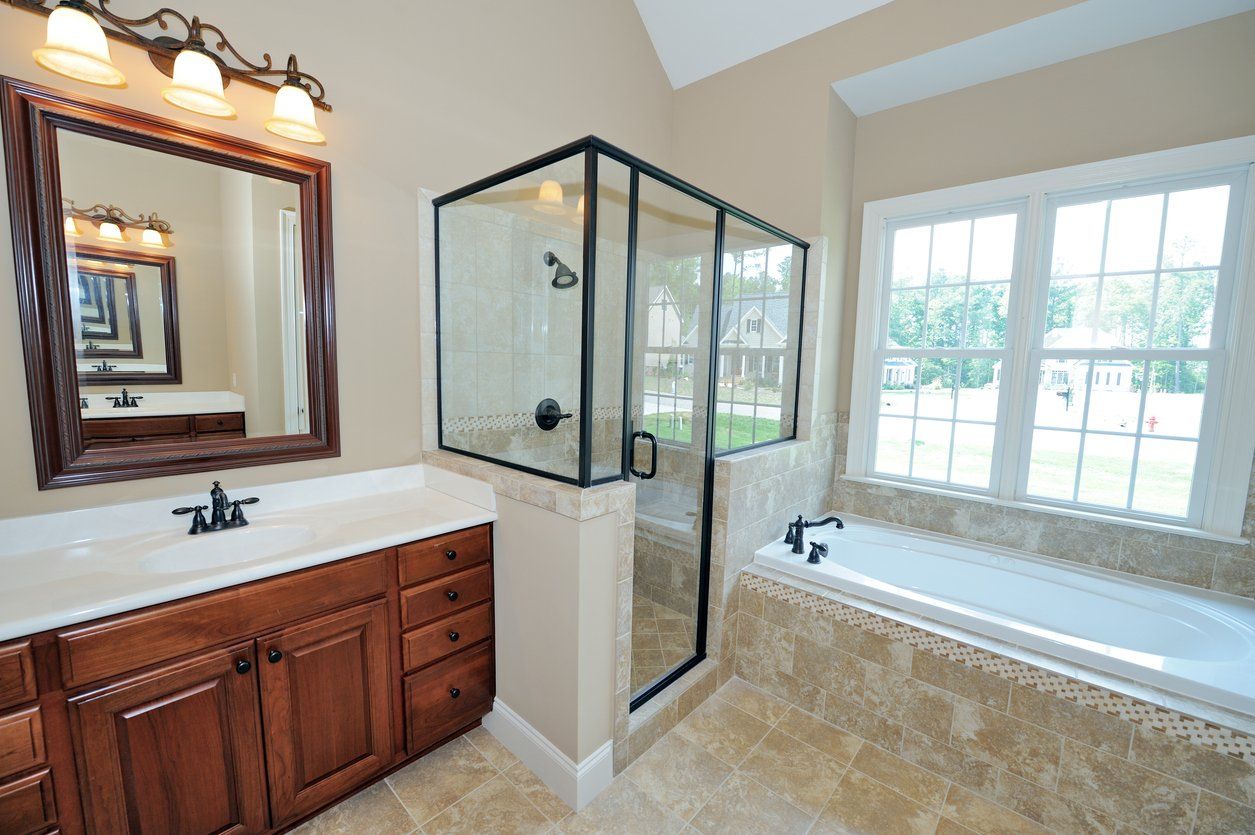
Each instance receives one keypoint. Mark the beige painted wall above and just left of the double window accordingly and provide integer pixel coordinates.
(1188, 87)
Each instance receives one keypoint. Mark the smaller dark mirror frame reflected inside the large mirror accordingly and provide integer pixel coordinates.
(165, 266)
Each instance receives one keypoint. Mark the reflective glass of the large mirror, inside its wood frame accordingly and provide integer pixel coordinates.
(186, 292)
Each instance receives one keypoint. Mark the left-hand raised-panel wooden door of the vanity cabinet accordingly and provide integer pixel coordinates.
(175, 750)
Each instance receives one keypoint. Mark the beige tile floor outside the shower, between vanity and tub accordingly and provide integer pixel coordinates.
(744, 763)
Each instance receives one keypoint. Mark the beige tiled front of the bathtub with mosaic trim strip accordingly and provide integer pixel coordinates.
(1010, 746)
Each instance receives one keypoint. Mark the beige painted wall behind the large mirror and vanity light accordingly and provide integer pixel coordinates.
(426, 94)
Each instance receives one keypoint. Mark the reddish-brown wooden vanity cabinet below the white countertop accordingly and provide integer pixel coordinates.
(250, 709)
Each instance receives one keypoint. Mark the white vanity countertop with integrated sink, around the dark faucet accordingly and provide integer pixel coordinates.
(63, 569)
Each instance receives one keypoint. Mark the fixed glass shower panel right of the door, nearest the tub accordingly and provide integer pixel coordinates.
(760, 325)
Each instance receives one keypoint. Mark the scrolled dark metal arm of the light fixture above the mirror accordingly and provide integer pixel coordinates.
(163, 50)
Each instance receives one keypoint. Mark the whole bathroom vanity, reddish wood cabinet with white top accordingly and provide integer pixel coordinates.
(248, 708)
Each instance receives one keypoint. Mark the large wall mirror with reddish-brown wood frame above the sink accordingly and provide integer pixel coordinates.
(131, 371)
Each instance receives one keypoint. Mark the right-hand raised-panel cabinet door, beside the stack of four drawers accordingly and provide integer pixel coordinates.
(327, 708)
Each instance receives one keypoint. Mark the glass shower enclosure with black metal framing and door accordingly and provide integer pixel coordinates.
(599, 320)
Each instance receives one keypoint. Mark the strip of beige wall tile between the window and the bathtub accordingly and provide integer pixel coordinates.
(1208, 564)
